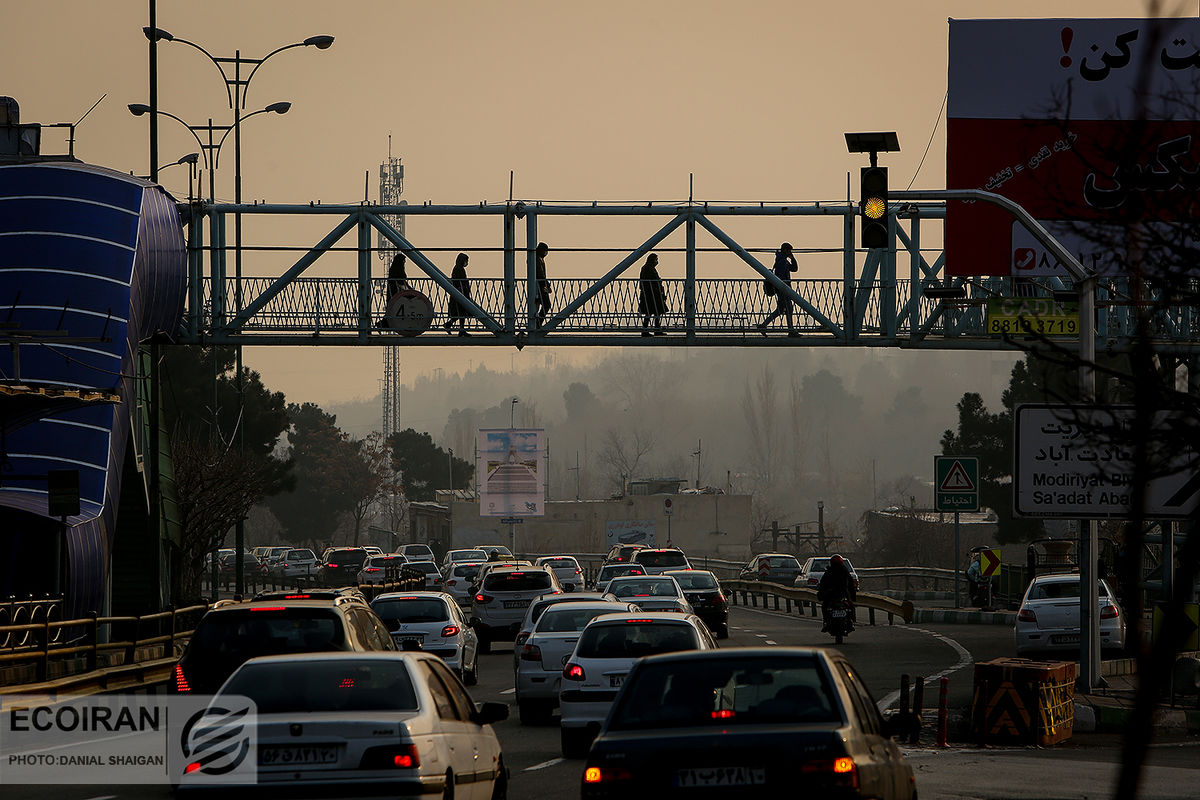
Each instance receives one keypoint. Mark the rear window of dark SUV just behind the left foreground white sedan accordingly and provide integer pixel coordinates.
(249, 633)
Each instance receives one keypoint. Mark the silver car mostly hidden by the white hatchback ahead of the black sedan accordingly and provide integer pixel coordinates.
(550, 643)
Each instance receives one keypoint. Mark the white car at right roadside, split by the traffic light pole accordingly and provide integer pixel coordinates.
(1048, 619)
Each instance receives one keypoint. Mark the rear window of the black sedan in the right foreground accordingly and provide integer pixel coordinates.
(727, 693)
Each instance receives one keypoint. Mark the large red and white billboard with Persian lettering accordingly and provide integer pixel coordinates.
(1091, 125)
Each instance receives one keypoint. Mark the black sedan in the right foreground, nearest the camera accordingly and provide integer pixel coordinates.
(748, 723)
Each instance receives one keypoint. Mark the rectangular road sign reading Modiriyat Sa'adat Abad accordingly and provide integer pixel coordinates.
(1078, 461)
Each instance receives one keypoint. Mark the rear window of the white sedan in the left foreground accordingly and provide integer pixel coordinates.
(343, 685)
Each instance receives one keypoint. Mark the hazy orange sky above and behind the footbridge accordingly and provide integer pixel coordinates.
(610, 101)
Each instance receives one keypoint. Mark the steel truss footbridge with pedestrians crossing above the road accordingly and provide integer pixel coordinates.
(895, 297)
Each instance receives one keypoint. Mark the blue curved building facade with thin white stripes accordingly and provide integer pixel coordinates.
(93, 263)
